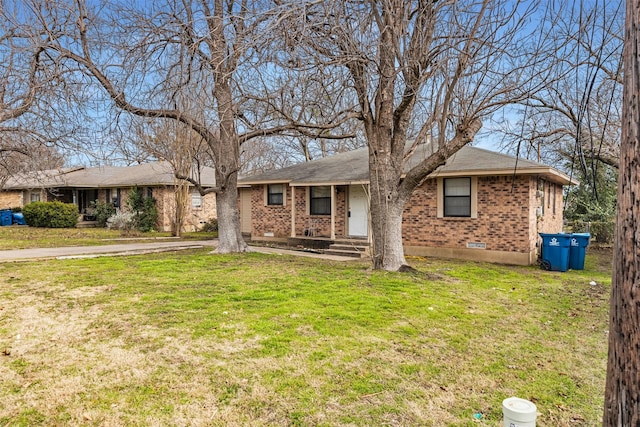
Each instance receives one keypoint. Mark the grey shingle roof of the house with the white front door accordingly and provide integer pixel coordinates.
(353, 167)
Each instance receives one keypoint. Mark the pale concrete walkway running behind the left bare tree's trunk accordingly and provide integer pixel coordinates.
(137, 248)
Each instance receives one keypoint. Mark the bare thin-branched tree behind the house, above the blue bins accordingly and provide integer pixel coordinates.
(576, 113)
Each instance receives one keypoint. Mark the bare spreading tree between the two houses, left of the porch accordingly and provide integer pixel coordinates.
(211, 53)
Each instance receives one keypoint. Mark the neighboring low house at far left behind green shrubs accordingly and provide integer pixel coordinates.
(112, 184)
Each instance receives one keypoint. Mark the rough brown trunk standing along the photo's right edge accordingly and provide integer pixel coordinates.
(622, 394)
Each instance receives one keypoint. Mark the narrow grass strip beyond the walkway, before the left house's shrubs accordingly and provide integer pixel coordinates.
(21, 237)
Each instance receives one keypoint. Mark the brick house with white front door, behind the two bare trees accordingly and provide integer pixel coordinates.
(480, 205)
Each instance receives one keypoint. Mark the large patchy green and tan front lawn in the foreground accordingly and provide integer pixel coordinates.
(198, 339)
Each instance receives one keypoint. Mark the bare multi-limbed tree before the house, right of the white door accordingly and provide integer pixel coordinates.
(420, 71)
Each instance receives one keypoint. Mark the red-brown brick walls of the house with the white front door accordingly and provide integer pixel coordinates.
(507, 219)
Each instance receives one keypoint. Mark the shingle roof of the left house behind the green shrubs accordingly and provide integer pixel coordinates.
(146, 174)
